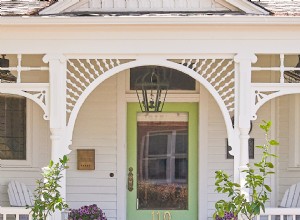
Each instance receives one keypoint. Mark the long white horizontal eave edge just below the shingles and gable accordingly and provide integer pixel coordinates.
(152, 20)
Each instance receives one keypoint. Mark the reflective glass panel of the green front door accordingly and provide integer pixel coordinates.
(162, 162)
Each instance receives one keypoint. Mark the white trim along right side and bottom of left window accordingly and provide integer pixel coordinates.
(29, 141)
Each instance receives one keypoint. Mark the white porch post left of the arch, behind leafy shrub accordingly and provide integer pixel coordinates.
(59, 144)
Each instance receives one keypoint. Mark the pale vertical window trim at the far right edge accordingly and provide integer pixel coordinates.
(294, 130)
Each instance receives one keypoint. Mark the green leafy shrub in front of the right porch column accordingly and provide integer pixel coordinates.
(255, 181)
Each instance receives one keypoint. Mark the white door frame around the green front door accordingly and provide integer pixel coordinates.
(122, 101)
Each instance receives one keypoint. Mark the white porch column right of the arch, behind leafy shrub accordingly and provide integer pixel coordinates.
(243, 62)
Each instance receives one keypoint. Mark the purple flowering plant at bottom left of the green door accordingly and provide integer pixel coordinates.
(87, 213)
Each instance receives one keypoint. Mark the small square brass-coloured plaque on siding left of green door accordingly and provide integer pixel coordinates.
(86, 159)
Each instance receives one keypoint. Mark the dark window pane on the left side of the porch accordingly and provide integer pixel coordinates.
(12, 127)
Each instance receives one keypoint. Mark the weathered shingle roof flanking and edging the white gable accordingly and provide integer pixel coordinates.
(32, 7)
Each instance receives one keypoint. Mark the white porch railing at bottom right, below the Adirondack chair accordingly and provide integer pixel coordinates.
(280, 213)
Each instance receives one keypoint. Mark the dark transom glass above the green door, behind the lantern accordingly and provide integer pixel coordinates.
(177, 79)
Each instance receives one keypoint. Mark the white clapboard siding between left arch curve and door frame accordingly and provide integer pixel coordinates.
(96, 128)
